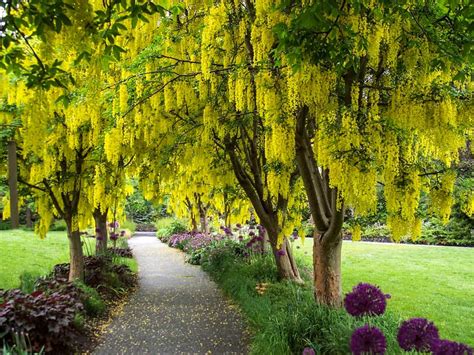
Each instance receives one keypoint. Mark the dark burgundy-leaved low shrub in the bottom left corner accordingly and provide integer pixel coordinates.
(47, 318)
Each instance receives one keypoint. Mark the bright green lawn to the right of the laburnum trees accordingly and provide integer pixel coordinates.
(431, 282)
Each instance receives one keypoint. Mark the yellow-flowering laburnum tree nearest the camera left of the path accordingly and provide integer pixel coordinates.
(63, 132)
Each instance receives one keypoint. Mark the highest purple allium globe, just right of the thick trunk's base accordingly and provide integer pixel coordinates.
(365, 299)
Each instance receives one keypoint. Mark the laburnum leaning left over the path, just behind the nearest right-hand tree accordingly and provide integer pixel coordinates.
(176, 83)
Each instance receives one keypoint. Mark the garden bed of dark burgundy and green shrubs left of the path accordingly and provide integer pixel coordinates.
(58, 316)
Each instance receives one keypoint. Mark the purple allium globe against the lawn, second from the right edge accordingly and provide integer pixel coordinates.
(417, 334)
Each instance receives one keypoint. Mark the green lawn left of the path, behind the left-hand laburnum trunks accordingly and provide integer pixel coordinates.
(24, 252)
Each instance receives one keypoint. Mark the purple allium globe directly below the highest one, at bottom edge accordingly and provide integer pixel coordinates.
(368, 340)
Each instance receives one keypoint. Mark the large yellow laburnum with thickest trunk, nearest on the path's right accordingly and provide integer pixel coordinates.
(378, 93)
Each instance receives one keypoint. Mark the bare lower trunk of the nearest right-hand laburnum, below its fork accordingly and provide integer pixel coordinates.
(327, 271)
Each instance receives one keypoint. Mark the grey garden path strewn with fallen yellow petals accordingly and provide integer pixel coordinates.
(176, 309)
